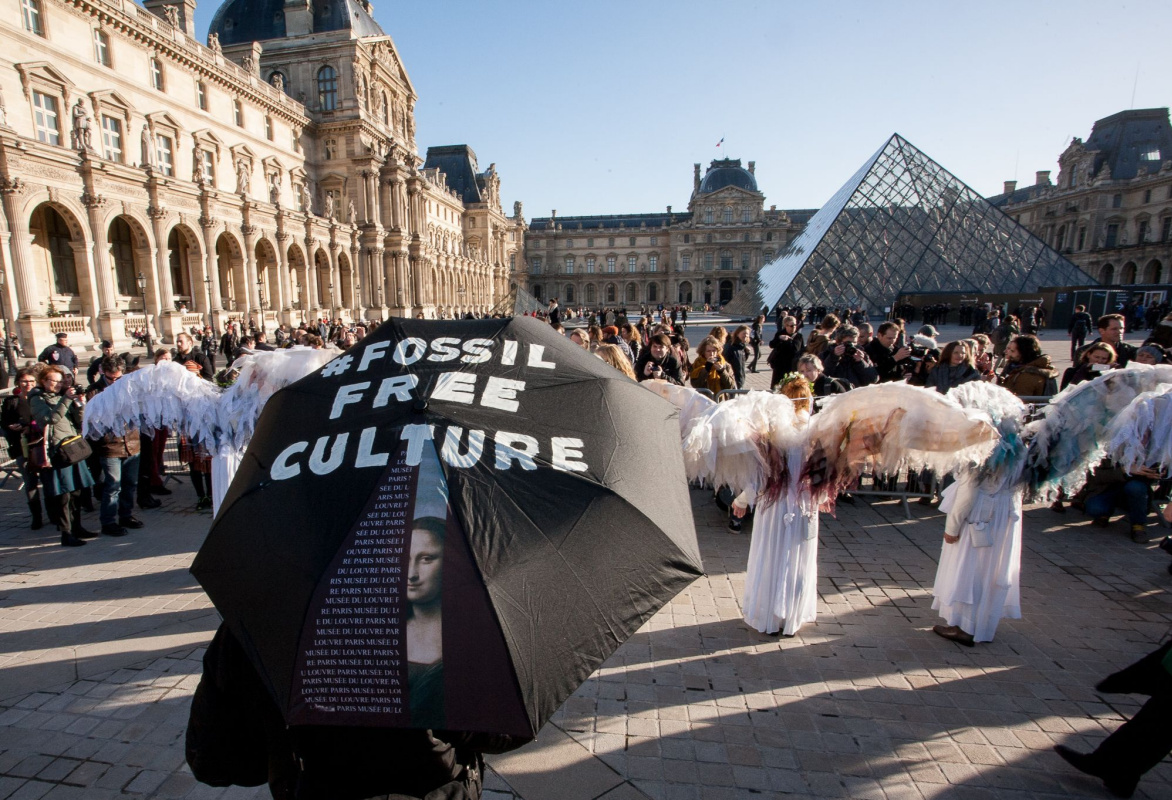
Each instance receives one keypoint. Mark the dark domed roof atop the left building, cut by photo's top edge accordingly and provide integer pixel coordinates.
(256, 20)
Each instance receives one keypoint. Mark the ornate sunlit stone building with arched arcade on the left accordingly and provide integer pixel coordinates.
(272, 174)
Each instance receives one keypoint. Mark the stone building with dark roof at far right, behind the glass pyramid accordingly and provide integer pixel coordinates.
(1110, 211)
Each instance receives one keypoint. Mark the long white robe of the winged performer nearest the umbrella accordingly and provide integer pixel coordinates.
(781, 584)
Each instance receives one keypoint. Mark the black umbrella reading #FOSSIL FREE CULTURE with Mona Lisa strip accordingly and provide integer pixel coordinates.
(451, 527)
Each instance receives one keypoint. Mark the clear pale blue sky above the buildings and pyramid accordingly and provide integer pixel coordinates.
(604, 107)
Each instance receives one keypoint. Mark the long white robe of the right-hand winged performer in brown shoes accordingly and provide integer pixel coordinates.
(978, 582)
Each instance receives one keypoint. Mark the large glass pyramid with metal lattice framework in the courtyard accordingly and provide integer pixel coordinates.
(904, 224)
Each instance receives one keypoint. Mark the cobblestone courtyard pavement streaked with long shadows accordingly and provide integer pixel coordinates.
(101, 647)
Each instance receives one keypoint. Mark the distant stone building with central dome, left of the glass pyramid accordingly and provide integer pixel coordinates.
(705, 255)
